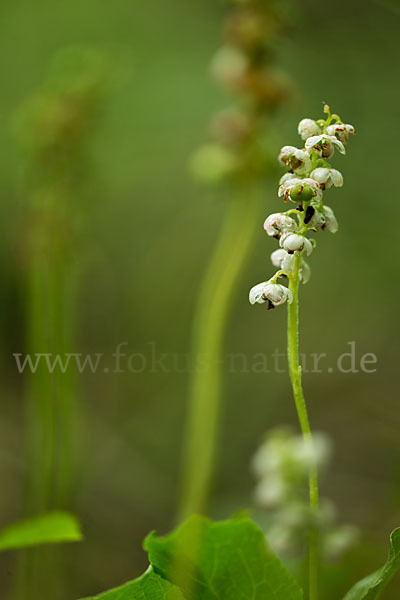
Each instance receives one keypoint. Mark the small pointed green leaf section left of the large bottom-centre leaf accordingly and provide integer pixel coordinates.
(149, 586)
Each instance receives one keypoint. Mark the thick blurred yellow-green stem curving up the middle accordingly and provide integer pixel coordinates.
(215, 298)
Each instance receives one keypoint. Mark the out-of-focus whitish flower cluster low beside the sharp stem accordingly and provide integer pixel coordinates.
(281, 466)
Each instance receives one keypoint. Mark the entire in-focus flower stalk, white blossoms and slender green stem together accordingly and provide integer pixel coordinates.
(309, 176)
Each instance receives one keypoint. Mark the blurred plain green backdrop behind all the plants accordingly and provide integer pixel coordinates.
(148, 234)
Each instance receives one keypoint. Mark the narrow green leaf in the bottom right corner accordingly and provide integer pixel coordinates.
(372, 586)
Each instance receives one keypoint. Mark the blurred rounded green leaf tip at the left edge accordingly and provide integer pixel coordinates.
(49, 528)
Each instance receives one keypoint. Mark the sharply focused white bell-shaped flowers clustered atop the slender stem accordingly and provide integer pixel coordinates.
(309, 175)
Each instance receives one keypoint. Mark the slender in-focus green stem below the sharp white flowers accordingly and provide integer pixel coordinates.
(295, 376)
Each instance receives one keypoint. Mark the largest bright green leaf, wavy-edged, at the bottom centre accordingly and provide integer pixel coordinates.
(227, 560)
